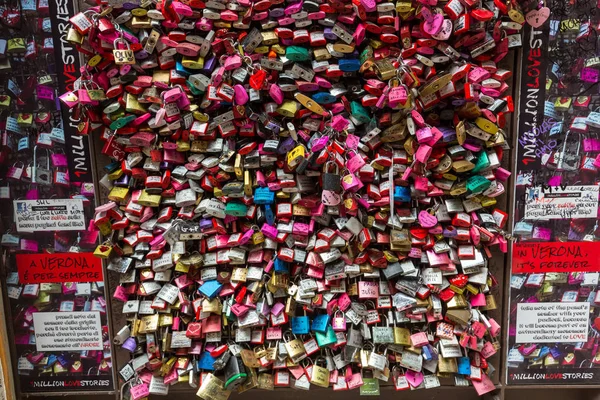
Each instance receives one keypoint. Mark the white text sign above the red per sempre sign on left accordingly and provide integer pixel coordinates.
(49, 215)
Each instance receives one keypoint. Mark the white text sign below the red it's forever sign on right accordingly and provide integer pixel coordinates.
(552, 322)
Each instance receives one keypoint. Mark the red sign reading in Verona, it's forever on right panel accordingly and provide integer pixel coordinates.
(556, 257)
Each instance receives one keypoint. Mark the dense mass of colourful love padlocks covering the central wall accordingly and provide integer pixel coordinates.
(303, 192)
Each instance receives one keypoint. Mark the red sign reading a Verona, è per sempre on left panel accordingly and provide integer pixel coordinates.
(59, 267)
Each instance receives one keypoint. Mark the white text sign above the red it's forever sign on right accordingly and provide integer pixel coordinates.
(554, 202)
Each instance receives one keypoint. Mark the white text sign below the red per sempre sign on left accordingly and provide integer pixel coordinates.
(67, 331)
